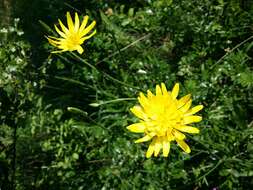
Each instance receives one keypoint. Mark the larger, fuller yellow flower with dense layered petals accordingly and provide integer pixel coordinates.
(163, 118)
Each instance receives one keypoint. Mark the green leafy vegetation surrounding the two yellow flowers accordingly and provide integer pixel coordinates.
(57, 128)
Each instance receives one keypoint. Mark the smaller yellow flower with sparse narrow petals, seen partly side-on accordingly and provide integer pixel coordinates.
(73, 36)
